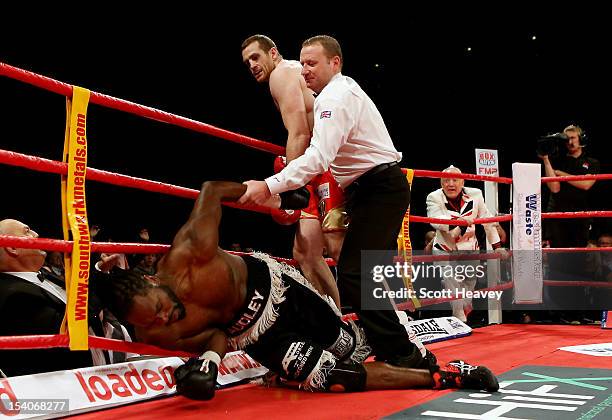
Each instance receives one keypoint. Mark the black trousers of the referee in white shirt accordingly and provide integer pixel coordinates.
(376, 204)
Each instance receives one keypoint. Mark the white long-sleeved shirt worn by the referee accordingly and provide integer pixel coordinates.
(349, 137)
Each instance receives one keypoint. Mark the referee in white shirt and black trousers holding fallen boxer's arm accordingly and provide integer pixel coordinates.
(351, 139)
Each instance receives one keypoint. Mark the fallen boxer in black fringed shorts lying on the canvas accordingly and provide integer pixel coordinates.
(206, 301)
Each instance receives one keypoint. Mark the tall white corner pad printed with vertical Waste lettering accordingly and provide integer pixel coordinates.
(527, 233)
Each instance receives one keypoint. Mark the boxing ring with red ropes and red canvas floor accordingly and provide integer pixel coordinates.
(532, 347)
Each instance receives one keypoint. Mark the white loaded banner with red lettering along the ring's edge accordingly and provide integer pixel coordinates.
(58, 394)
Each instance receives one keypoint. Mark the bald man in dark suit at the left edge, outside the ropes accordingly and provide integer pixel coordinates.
(32, 304)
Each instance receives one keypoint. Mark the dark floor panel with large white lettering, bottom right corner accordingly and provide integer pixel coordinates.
(529, 392)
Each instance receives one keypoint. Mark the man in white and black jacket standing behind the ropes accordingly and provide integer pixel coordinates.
(455, 202)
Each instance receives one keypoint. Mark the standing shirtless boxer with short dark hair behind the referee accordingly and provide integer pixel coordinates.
(295, 103)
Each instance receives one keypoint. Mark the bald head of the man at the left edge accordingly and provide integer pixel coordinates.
(19, 259)
